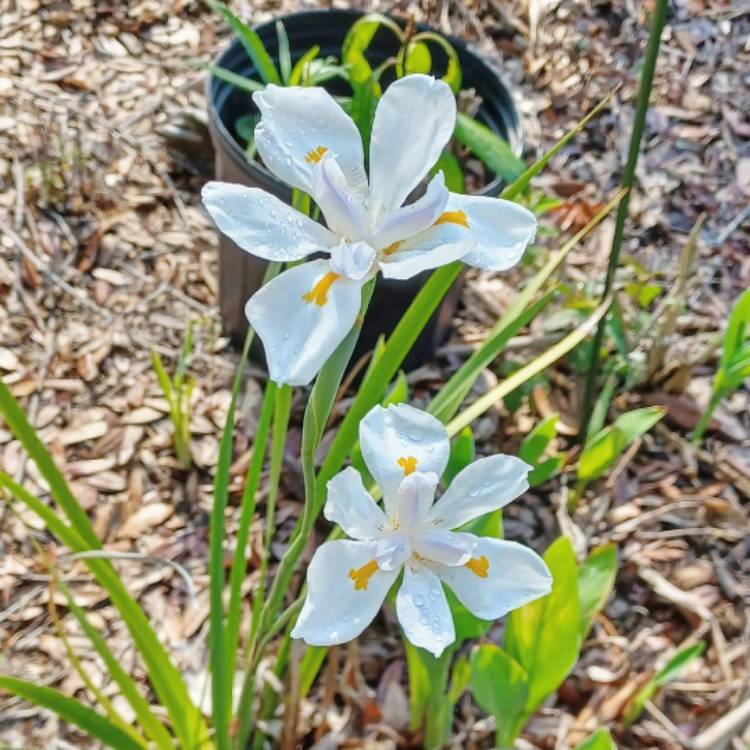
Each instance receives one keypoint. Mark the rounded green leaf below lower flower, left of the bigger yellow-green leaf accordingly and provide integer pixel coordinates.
(501, 688)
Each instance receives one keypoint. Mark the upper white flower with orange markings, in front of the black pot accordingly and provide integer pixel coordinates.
(309, 142)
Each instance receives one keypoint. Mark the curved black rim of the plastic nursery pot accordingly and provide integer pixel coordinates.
(221, 132)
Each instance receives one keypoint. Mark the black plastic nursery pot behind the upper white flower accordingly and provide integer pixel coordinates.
(240, 273)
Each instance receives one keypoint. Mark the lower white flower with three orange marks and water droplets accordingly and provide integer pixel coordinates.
(406, 450)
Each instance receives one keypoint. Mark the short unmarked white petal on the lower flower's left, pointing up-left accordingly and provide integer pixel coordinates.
(350, 505)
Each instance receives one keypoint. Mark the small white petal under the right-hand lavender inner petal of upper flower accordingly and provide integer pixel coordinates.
(435, 247)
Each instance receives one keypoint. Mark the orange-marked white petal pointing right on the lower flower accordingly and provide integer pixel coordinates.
(514, 574)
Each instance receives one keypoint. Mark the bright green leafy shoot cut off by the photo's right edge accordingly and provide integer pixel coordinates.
(734, 365)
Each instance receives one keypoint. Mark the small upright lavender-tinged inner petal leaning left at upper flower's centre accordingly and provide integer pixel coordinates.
(343, 209)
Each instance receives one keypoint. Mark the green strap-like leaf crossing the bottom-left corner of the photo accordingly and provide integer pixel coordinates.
(72, 711)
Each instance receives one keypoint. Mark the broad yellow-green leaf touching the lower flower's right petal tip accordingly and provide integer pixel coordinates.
(544, 636)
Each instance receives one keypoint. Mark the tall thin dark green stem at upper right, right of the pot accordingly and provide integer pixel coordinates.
(628, 178)
